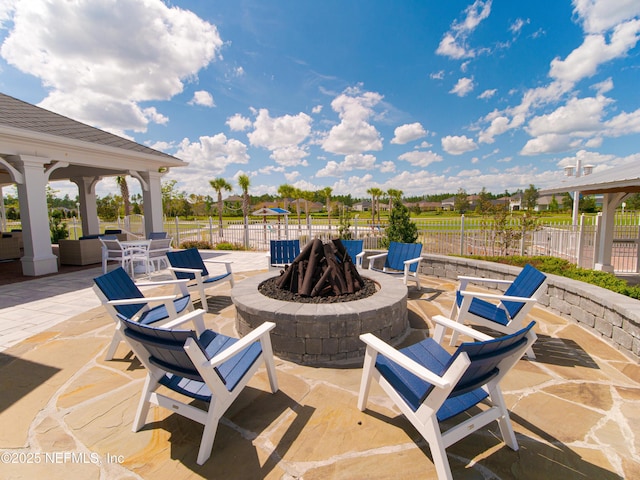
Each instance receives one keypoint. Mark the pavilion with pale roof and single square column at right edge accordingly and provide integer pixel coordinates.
(614, 184)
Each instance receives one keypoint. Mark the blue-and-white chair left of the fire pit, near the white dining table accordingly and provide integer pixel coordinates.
(188, 264)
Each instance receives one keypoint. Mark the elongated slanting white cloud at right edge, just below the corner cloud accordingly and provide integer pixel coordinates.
(585, 60)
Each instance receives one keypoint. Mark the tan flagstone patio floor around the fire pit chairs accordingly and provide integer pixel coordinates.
(66, 413)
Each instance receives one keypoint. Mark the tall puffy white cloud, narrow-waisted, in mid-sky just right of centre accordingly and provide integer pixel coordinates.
(354, 134)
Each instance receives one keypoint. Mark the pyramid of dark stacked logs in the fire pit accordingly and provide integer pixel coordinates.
(321, 269)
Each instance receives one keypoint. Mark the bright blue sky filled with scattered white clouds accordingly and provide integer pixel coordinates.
(422, 96)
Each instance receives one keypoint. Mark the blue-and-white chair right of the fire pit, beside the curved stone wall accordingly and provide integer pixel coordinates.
(504, 313)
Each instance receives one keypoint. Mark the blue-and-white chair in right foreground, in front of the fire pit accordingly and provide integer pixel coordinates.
(429, 385)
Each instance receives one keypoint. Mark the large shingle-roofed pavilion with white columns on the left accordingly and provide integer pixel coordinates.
(37, 146)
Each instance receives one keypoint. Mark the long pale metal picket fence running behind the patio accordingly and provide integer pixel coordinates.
(457, 236)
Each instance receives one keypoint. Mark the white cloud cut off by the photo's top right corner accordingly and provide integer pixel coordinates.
(600, 15)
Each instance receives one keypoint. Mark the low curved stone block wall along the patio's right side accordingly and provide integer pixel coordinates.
(614, 317)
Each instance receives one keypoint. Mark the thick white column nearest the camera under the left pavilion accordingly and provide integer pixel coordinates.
(38, 257)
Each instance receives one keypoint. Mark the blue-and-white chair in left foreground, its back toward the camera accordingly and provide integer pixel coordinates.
(204, 365)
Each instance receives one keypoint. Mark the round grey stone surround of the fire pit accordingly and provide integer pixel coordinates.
(324, 333)
